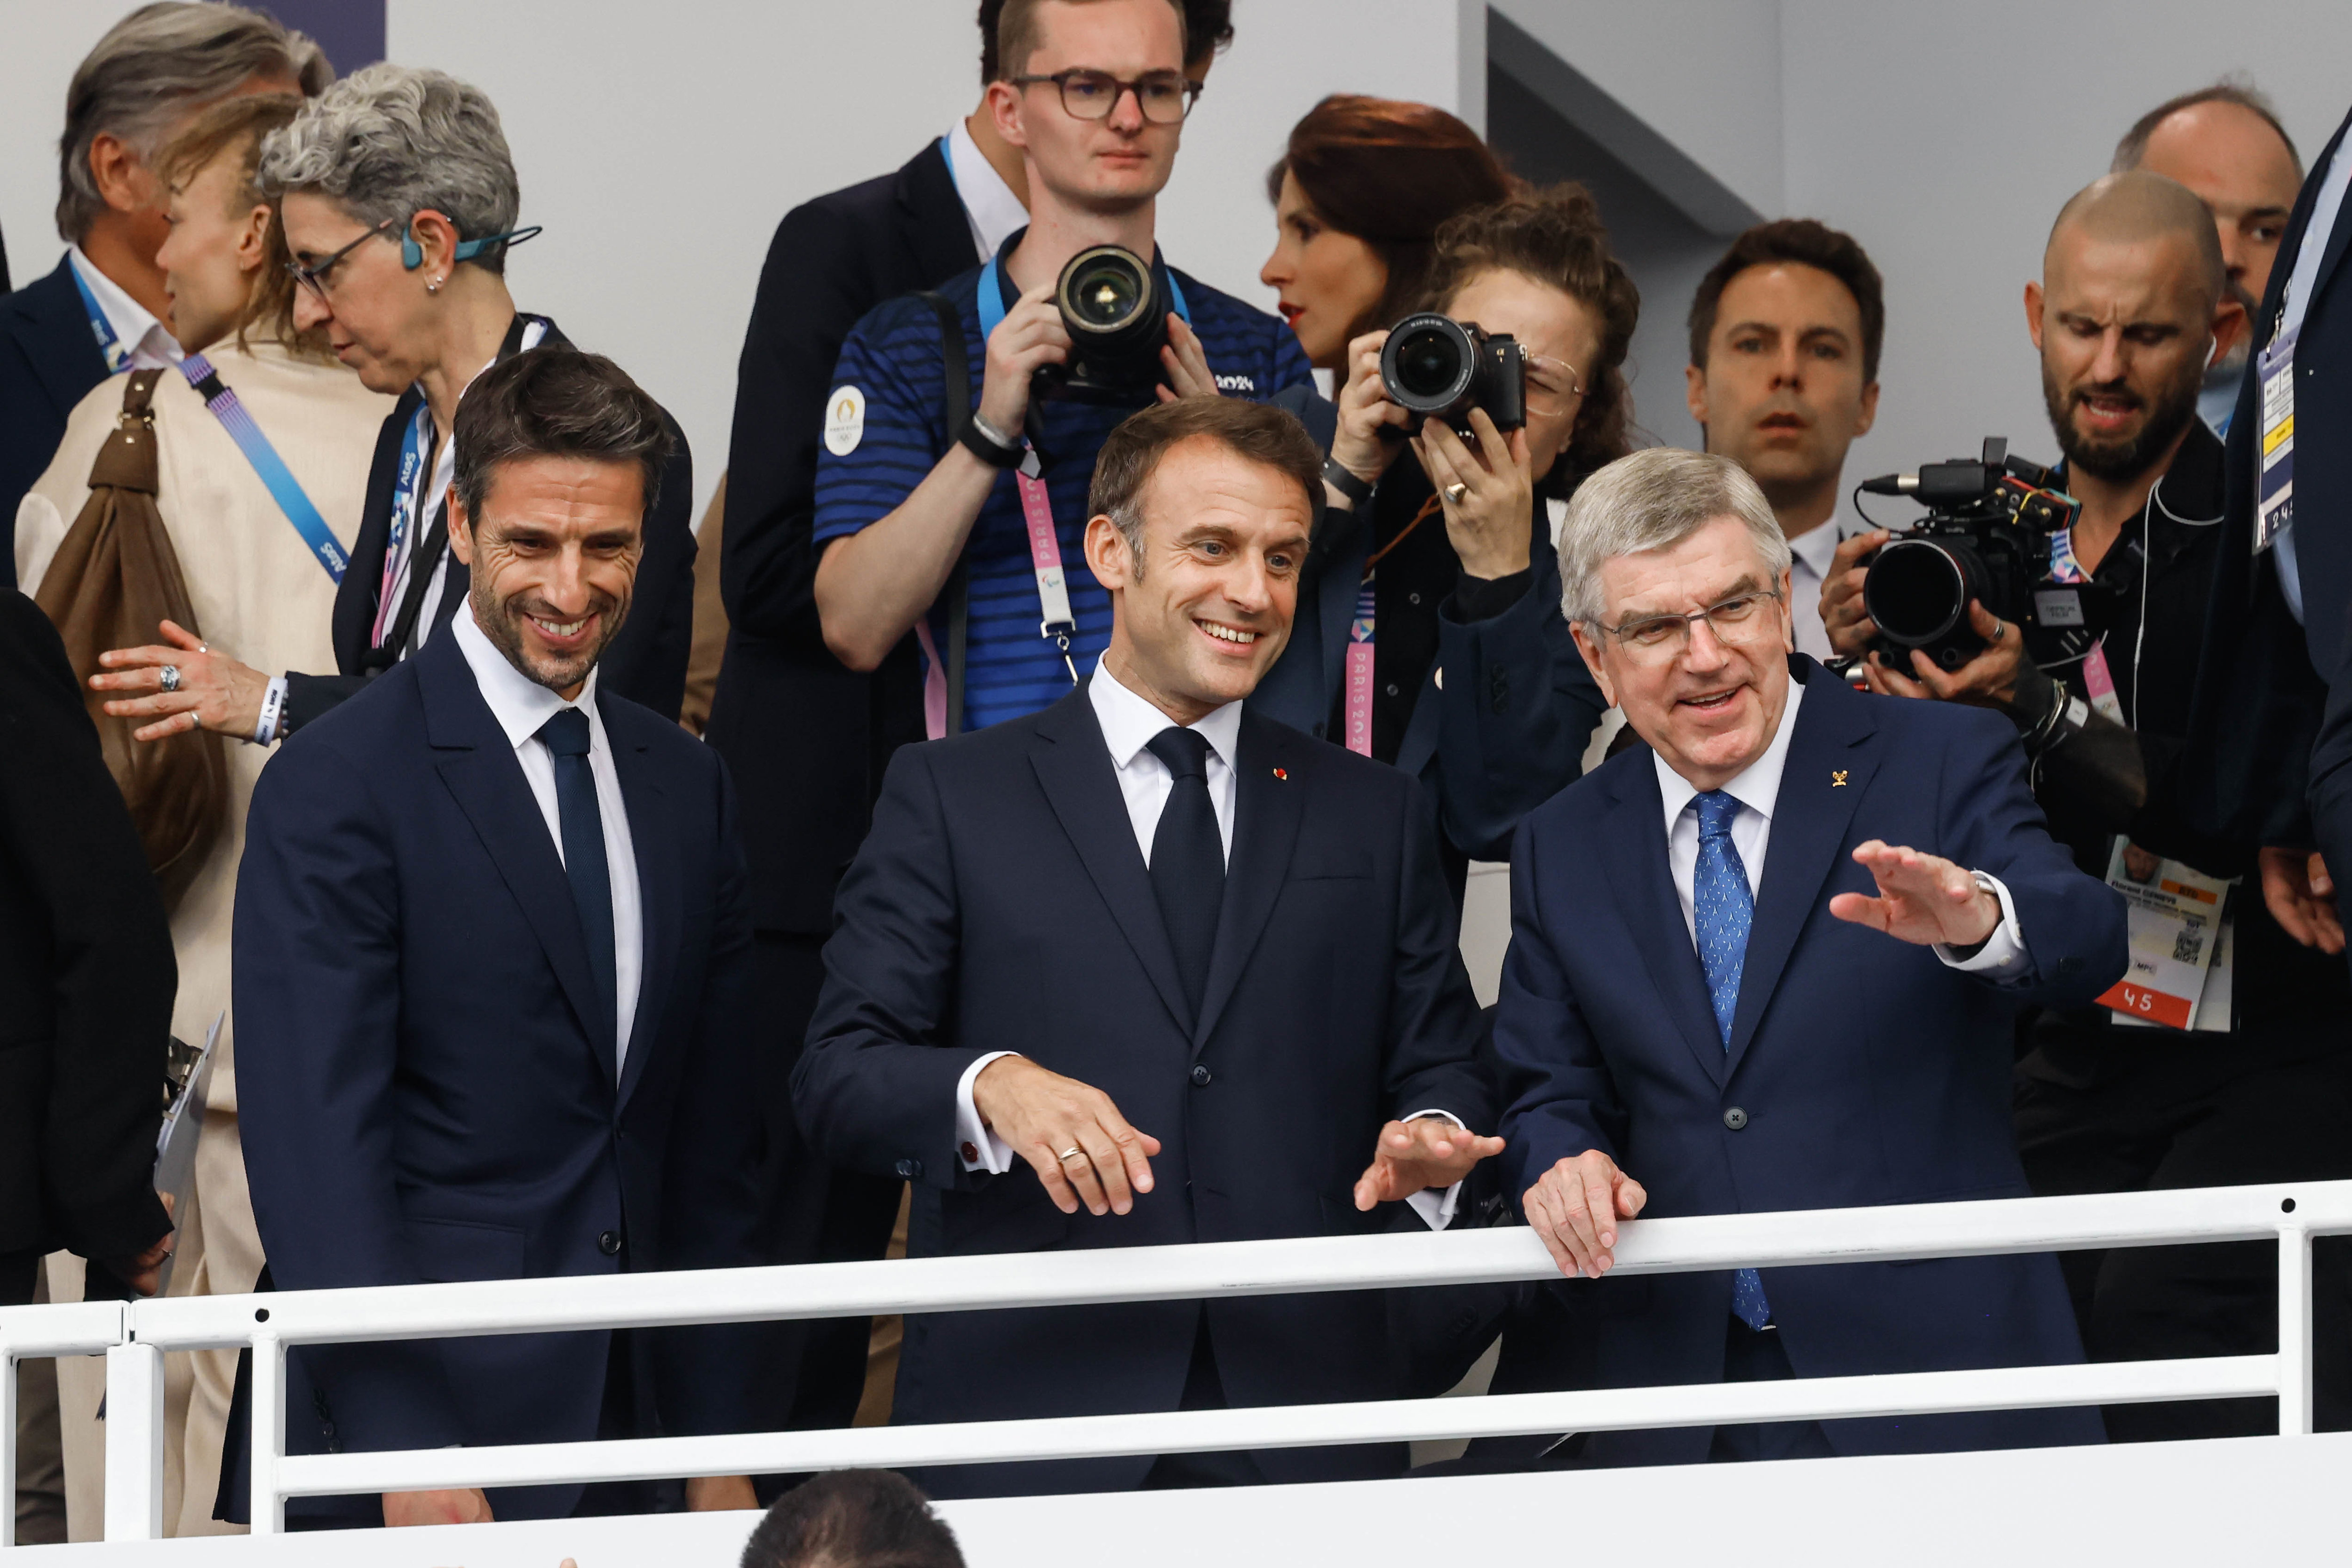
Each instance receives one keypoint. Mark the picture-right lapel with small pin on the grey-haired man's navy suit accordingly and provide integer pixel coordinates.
(1826, 777)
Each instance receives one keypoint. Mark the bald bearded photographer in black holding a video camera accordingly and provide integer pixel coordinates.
(2092, 652)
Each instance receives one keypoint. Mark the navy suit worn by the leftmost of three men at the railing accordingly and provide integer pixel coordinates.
(427, 1083)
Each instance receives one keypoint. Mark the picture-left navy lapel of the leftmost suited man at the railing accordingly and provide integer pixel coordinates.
(479, 768)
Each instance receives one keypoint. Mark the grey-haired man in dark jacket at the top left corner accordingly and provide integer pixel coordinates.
(105, 307)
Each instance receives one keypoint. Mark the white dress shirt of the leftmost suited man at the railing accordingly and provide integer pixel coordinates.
(523, 706)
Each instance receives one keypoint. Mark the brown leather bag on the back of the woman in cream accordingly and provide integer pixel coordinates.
(112, 587)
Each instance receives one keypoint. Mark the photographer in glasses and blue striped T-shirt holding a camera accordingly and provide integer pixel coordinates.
(1027, 366)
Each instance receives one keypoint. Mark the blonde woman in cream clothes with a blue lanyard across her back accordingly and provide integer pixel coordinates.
(258, 558)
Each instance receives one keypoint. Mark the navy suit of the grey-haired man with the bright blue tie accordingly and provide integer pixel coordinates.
(1871, 1071)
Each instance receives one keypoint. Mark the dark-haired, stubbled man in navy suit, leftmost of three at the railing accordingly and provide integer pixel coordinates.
(490, 963)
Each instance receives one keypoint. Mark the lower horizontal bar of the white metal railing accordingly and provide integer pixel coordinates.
(2019, 1388)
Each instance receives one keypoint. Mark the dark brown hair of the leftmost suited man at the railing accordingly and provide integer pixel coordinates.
(559, 403)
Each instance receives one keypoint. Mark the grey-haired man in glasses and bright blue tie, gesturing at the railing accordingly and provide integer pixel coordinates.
(1702, 1007)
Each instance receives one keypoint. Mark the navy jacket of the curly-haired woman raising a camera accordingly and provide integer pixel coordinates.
(1506, 709)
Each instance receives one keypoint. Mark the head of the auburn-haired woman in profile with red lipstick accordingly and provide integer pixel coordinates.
(1358, 201)
